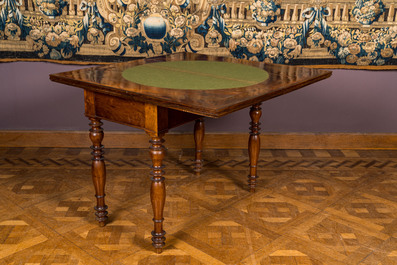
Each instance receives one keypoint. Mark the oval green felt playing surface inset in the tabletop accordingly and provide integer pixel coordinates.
(195, 75)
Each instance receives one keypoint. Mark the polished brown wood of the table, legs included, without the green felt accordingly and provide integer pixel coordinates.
(156, 110)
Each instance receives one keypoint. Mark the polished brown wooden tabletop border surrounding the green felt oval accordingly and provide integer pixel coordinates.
(215, 102)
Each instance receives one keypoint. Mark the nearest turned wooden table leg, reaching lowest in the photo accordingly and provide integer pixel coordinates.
(157, 191)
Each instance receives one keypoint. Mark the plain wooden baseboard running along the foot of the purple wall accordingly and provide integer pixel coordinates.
(211, 140)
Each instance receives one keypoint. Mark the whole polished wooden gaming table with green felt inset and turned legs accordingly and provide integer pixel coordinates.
(160, 93)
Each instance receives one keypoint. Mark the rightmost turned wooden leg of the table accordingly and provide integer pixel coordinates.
(254, 144)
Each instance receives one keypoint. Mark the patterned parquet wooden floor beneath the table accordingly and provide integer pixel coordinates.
(311, 207)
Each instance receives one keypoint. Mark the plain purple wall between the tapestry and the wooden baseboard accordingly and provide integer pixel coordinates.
(349, 101)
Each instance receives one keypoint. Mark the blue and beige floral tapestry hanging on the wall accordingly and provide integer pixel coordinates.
(335, 33)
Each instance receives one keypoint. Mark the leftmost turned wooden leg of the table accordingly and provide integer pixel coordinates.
(98, 170)
